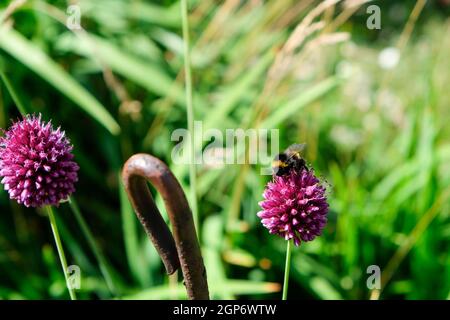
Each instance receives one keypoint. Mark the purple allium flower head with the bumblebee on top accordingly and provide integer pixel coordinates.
(295, 206)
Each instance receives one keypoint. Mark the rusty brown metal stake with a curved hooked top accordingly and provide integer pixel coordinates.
(181, 249)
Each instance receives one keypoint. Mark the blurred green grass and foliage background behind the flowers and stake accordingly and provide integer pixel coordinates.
(372, 106)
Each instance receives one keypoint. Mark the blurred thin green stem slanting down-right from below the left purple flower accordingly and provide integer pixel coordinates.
(103, 264)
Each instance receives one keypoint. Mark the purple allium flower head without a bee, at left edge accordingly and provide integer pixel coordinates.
(36, 163)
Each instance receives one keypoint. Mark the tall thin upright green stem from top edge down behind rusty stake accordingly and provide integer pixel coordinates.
(190, 112)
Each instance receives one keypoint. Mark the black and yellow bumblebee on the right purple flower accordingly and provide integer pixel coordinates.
(289, 159)
